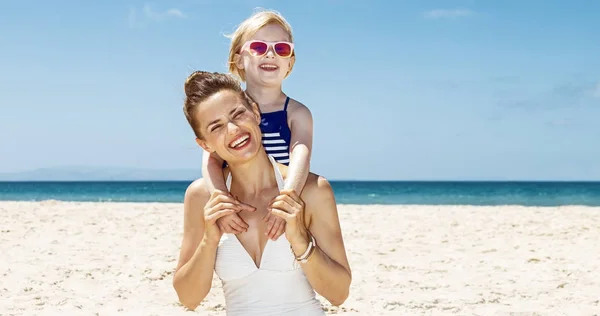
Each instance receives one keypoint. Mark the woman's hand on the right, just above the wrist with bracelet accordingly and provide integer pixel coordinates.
(289, 207)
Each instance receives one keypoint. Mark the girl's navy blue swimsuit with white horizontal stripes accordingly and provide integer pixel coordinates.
(276, 134)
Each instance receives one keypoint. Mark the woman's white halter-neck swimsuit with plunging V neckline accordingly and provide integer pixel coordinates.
(277, 287)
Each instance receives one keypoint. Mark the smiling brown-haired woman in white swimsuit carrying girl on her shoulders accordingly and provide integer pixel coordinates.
(259, 276)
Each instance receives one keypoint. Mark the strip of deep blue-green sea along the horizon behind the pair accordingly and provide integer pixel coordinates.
(346, 192)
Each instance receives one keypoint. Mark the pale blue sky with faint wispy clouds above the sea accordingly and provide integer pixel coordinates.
(398, 90)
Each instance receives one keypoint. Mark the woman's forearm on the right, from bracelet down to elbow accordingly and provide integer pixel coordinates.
(329, 278)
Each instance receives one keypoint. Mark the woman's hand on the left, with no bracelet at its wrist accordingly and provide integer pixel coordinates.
(220, 204)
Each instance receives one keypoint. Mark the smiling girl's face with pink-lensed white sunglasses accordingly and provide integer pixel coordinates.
(266, 57)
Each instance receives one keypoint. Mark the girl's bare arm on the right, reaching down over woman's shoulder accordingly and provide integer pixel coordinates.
(301, 127)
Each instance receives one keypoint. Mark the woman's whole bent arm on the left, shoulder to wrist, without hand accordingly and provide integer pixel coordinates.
(193, 276)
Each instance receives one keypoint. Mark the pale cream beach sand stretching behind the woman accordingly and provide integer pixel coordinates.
(72, 258)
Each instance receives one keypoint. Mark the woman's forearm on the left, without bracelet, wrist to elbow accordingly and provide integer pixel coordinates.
(193, 280)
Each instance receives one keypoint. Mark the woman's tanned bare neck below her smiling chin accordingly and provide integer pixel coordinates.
(253, 177)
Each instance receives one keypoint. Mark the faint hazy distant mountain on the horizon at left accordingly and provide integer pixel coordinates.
(102, 174)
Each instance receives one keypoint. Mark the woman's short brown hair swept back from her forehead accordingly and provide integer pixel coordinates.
(201, 85)
